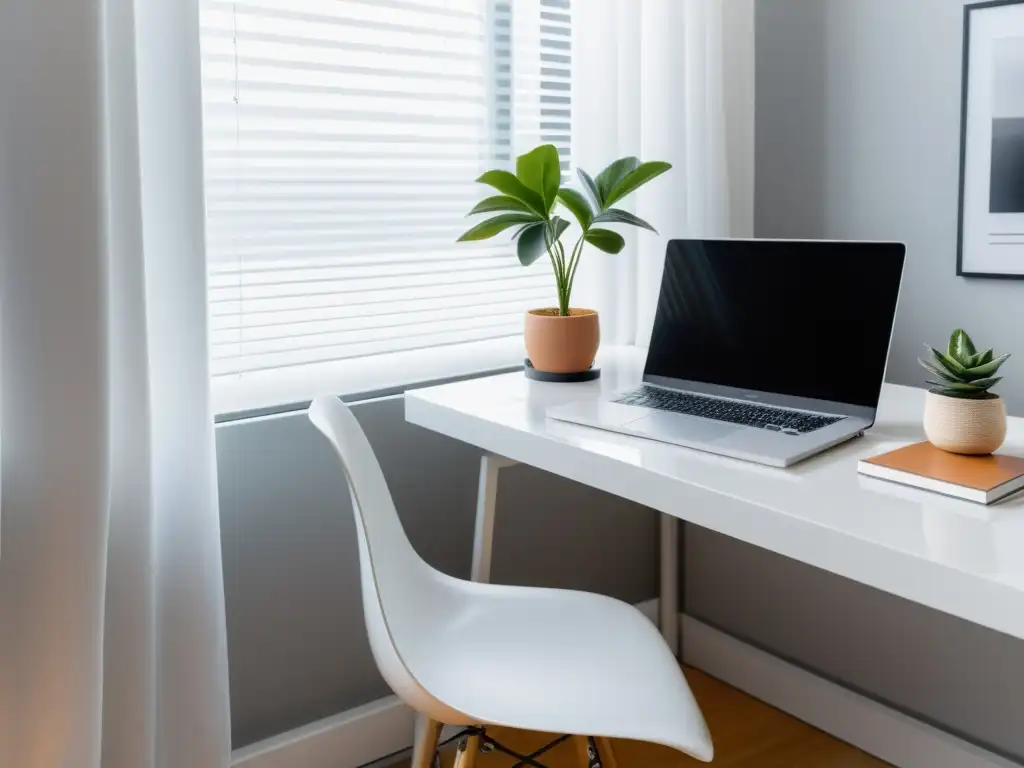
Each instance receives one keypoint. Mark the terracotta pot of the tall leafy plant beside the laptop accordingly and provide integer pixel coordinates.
(563, 346)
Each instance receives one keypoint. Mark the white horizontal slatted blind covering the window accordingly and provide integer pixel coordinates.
(343, 140)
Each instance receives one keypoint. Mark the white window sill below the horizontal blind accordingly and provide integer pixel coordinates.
(283, 391)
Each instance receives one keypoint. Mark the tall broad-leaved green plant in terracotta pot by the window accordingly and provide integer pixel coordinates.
(561, 339)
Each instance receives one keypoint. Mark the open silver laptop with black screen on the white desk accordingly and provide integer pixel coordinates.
(765, 351)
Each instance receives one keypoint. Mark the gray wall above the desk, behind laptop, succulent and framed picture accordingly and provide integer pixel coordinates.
(858, 138)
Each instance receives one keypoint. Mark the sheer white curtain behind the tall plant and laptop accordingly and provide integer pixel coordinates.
(666, 80)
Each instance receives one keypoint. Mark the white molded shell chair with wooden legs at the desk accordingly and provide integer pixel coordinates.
(475, 655)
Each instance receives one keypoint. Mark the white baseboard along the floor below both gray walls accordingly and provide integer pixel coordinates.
(370, 733)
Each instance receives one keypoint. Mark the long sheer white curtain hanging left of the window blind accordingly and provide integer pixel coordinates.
(113, 647)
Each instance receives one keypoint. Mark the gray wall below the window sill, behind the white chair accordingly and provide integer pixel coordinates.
(297, 646)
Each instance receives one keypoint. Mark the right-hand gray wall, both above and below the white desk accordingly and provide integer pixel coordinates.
(859, 138)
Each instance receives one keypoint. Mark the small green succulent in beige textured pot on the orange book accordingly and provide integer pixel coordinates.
(962, 416)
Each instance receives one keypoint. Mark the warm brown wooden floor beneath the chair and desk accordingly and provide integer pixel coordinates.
(748, 734)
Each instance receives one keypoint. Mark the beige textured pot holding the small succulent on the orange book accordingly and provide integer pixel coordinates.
(965, 426)
